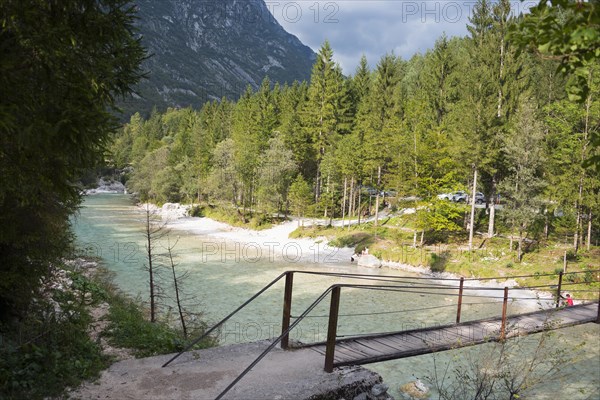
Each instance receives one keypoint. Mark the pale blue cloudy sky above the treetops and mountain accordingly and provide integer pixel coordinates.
(374, 27)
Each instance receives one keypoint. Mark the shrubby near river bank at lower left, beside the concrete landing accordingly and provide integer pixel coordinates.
(79, 326)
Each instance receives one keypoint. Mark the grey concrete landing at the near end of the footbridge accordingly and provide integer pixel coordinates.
(203, 374)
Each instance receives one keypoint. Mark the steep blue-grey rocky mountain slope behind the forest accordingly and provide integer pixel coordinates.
(203, 50)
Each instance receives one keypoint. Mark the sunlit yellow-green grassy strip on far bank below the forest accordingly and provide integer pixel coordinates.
(449, 253)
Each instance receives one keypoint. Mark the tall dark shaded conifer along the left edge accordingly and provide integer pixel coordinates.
(63, 65)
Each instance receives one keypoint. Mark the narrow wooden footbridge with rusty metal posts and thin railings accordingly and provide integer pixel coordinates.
(339, 350)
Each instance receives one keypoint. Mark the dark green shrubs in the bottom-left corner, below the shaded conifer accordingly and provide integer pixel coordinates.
(49, 348)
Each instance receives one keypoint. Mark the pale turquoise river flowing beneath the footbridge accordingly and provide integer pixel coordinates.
(222, 273)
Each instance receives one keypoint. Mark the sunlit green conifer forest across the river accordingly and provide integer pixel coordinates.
(470, 108)
